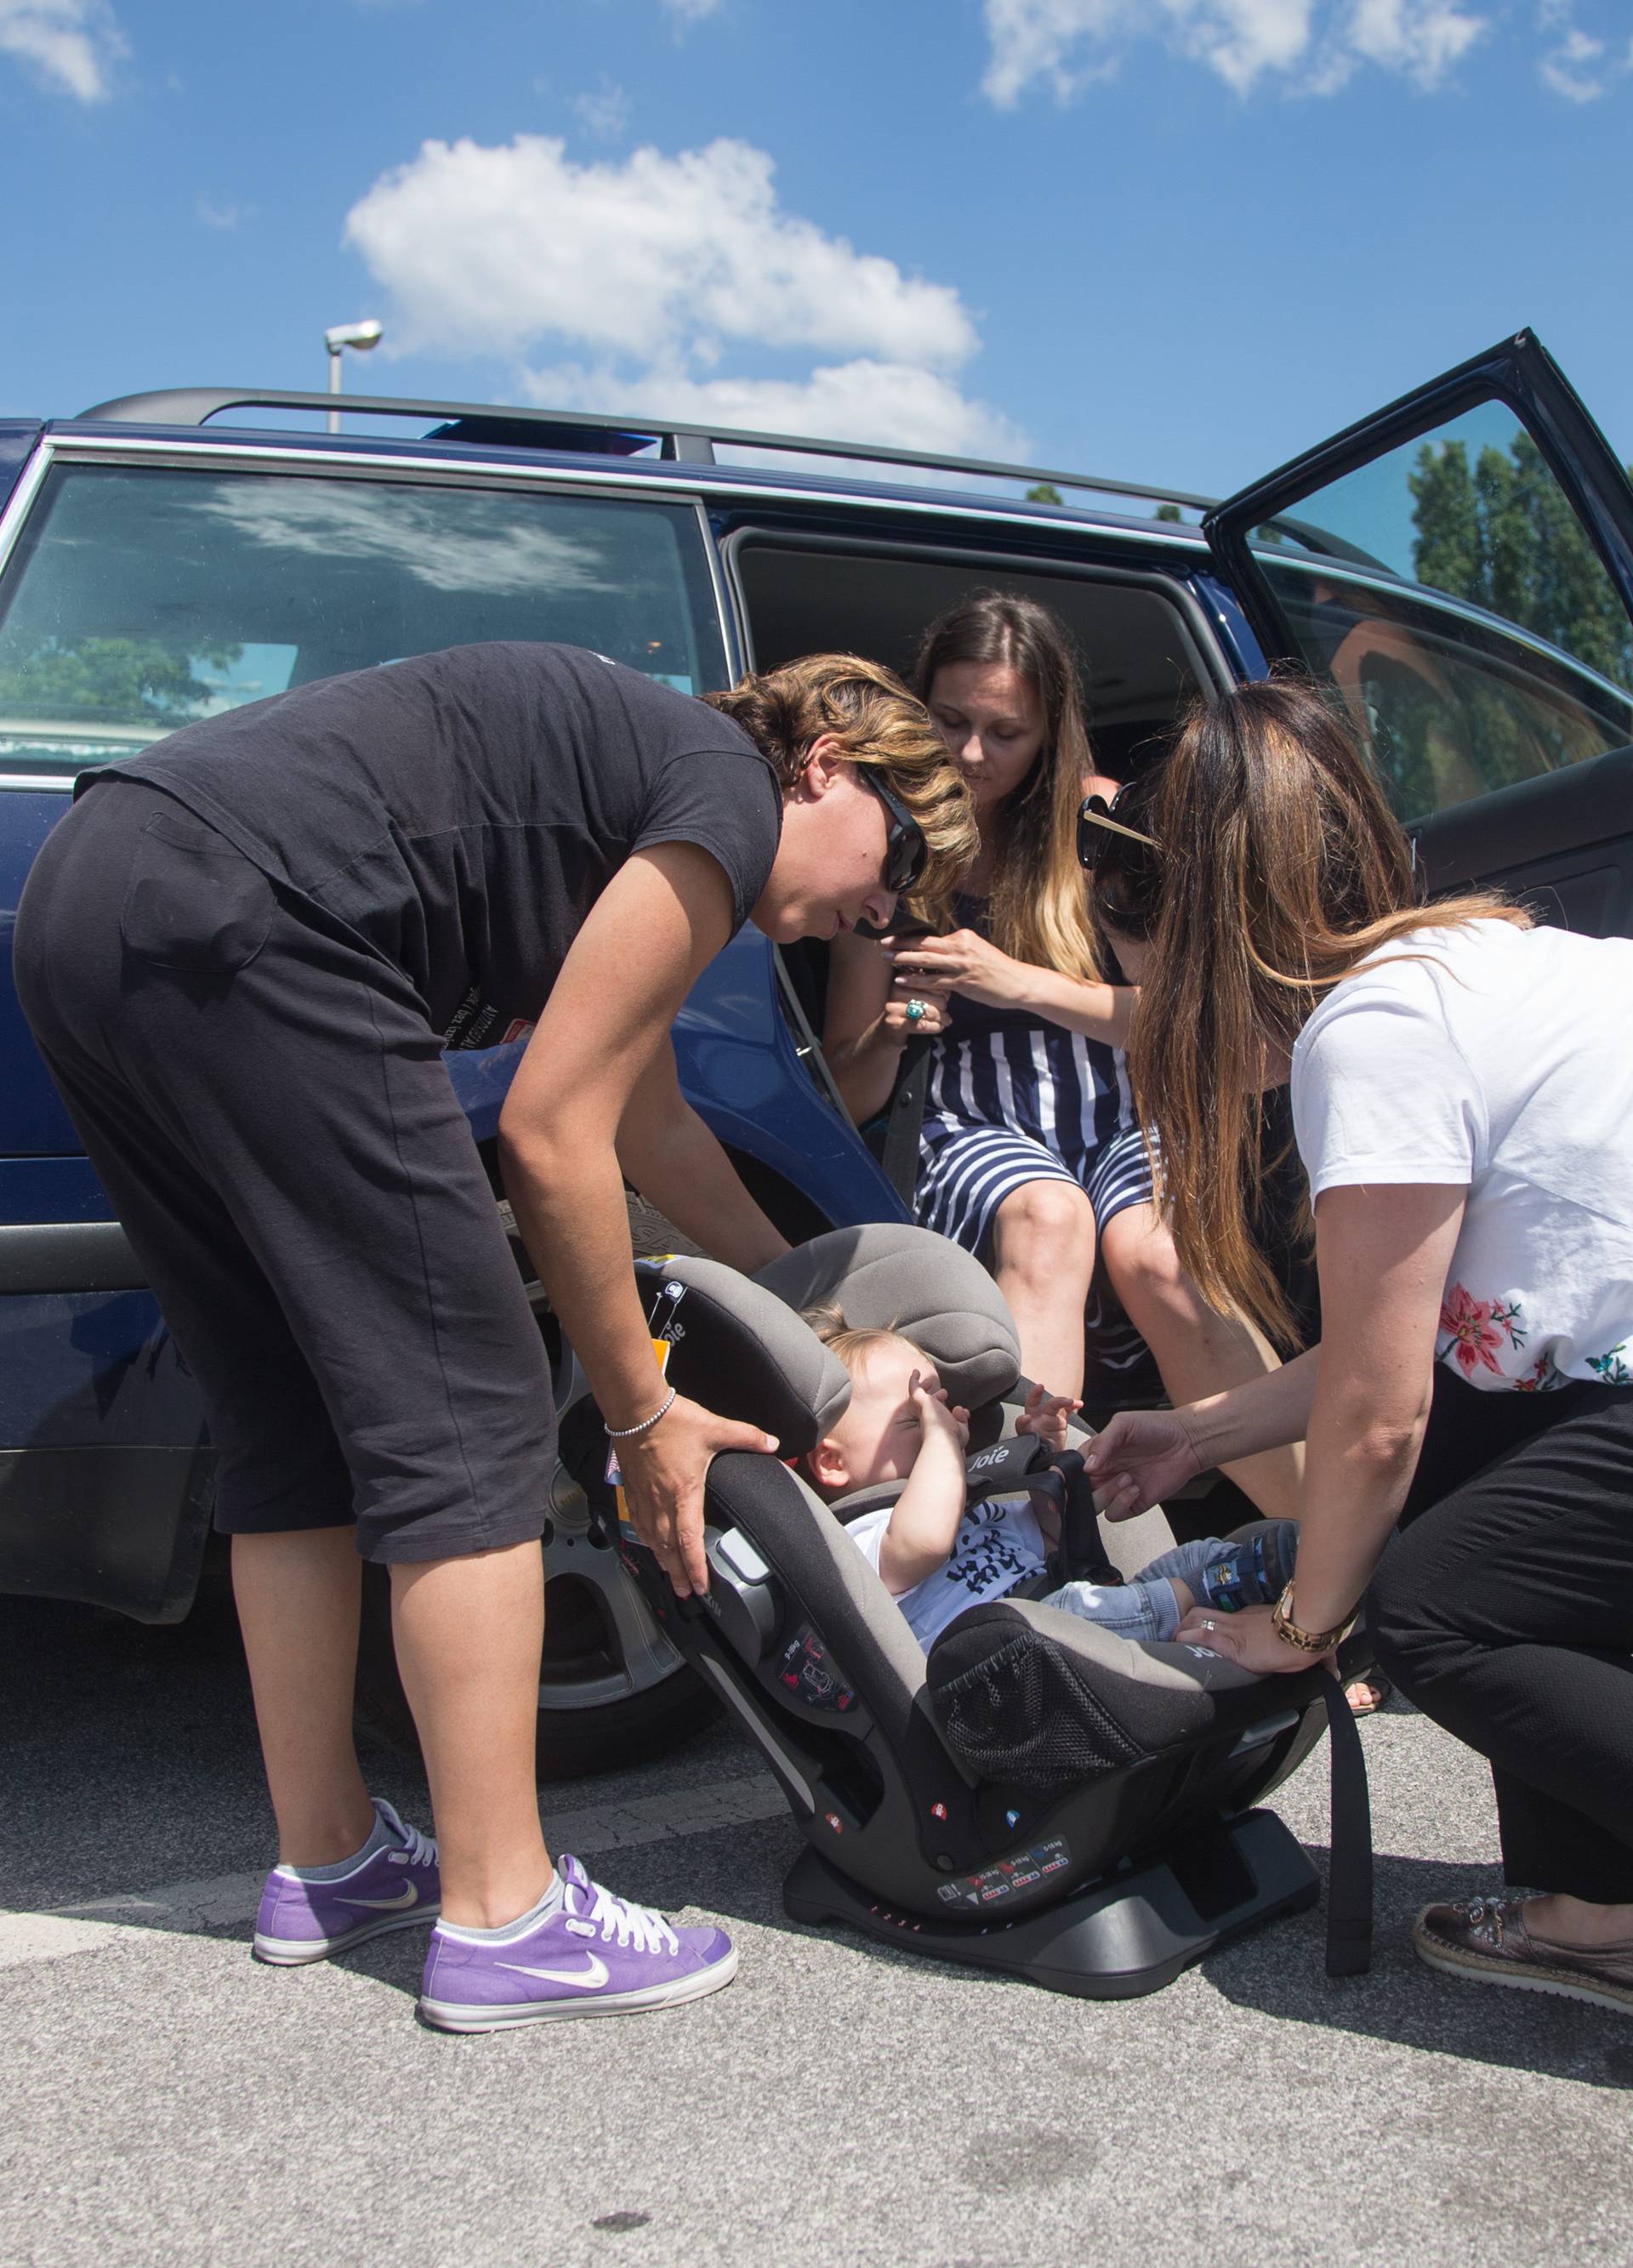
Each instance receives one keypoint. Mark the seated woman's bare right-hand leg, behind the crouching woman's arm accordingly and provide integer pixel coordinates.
(1199, 1351)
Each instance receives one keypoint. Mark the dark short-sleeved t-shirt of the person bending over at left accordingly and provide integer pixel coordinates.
(464, 811)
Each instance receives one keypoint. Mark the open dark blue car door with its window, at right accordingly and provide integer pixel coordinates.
(1462, 570)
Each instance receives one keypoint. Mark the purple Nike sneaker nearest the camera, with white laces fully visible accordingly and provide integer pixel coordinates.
(595, 1956)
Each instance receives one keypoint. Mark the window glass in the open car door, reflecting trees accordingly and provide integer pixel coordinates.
(1453, 598)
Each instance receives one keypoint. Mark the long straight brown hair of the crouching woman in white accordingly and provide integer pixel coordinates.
(1283, 870)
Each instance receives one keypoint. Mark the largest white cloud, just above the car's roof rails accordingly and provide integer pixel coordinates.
(629, 287)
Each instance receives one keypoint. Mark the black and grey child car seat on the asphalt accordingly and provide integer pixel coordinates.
(1040, 1795)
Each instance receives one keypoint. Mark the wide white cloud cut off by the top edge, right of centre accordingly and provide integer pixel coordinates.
(1312, 46)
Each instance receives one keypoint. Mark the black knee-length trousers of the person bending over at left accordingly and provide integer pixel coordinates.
(269, 1110)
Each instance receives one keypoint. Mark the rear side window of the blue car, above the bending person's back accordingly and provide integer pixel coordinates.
(142, 600)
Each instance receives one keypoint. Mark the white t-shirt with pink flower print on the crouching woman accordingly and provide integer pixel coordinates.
(1498, 1060)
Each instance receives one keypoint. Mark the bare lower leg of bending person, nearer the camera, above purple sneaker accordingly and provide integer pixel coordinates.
(468, 1648)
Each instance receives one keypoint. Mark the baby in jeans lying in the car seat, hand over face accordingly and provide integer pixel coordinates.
(940, 1555)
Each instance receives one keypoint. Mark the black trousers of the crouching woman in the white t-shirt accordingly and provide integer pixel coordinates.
(1505, 1611)
